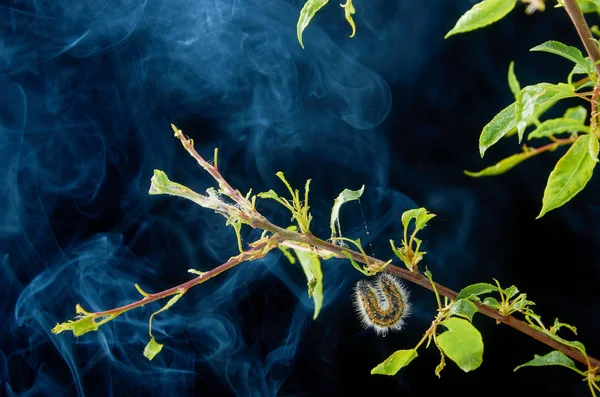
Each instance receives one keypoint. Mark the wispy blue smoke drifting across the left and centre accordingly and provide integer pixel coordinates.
(88, 91)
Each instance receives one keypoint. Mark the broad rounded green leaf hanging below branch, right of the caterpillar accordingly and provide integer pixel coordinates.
(462, 343)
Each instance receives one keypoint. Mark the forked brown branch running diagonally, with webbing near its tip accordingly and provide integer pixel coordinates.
(241, 210)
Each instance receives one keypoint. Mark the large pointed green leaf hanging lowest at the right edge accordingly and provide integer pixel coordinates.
(571, 173)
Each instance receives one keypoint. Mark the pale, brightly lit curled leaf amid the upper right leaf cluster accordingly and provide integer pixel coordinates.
(533, 100)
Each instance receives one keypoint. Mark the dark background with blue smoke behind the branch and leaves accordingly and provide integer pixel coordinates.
(87, 92)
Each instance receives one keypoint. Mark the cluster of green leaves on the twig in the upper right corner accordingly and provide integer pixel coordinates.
(574, 169)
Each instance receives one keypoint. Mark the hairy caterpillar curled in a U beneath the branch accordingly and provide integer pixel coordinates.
(382, 305)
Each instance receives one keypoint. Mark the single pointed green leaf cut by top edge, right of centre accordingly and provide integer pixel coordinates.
(482, 14)
